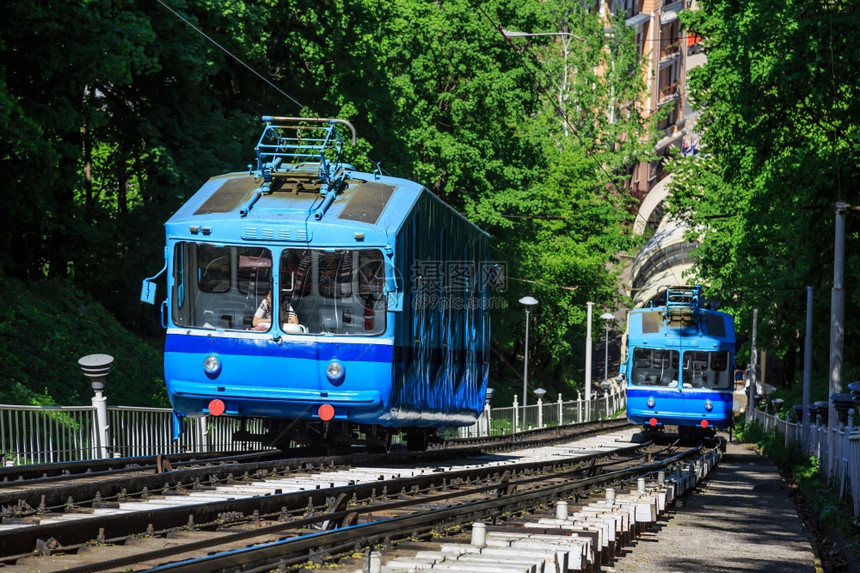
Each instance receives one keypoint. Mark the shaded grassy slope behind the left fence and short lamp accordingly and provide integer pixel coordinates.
(46, 327)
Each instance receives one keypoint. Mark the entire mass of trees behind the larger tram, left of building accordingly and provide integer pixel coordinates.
(112, 112)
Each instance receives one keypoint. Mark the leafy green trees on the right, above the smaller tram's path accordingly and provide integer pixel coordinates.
(779, 128)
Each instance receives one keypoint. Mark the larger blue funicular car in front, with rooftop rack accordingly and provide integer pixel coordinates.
(310, 291)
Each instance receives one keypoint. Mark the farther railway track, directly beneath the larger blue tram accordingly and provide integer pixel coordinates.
(26, 491)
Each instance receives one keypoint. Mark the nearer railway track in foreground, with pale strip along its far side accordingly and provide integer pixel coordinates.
(312, 511)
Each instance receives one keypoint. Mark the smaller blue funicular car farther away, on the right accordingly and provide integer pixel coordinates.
(680, 363)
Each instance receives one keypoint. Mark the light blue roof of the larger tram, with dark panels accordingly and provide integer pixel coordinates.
(368, 209)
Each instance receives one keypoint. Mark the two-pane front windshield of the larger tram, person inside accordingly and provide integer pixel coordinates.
(299, 291)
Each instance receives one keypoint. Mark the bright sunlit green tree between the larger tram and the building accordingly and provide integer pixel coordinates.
(530, 139)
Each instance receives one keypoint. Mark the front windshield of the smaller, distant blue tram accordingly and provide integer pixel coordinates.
(660, 367)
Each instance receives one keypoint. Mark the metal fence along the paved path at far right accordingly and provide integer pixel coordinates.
(837, 449)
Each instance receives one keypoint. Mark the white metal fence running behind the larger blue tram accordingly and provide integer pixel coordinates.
(49, 434)
